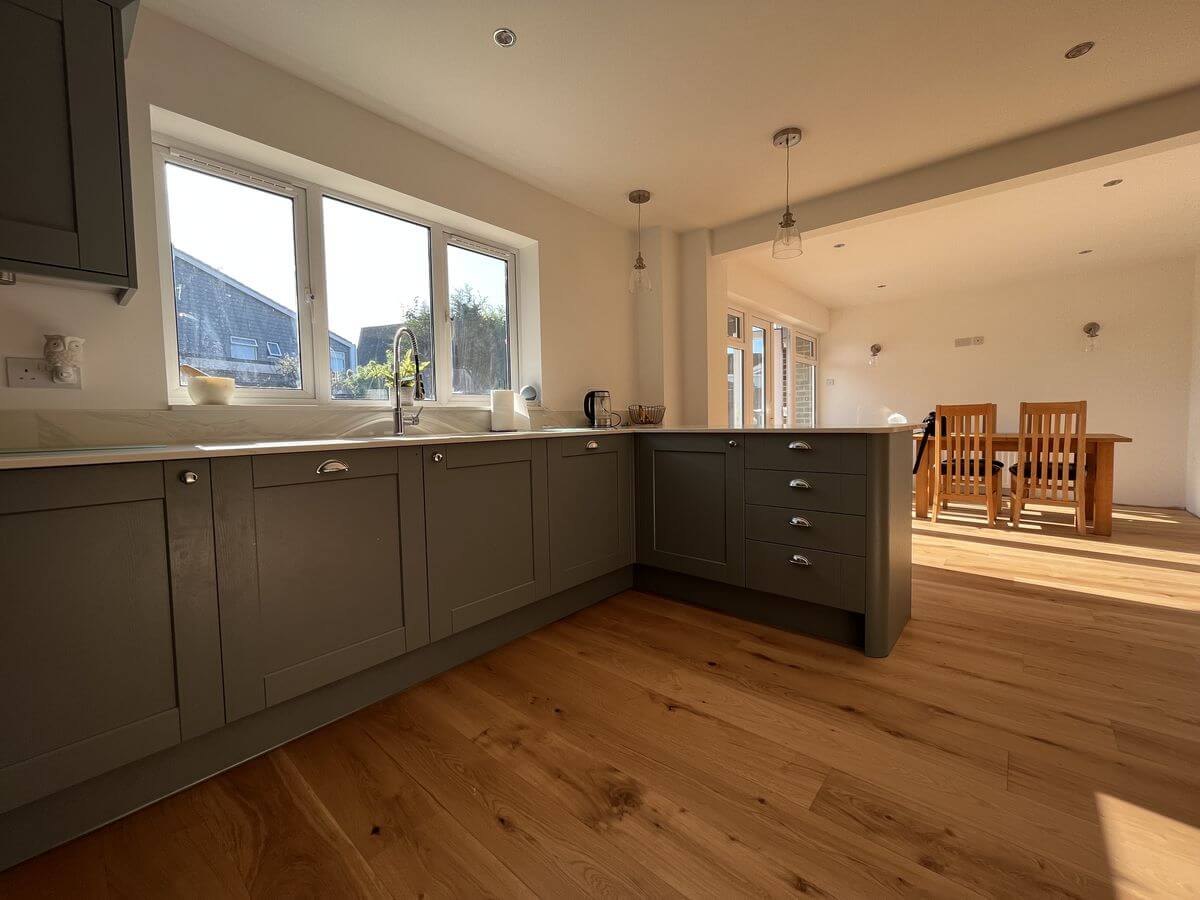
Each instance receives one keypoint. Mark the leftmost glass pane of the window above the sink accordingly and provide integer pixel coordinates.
(235, 266)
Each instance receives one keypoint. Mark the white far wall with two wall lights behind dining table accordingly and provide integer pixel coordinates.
(1137, 382)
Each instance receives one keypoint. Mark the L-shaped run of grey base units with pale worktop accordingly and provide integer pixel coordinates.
(188, 608)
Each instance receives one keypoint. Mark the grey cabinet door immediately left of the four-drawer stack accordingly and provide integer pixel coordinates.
(691, 515)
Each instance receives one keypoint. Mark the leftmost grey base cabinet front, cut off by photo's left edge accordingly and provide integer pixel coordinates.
(110, 645)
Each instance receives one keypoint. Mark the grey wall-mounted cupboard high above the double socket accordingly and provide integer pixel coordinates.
(65, 203)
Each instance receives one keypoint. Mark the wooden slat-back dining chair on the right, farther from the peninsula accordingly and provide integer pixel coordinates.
(1051, 459)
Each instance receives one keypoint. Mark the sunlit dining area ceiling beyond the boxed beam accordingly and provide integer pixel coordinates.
(1036, 230)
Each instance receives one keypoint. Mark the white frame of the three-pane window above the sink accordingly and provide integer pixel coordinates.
(311, 287)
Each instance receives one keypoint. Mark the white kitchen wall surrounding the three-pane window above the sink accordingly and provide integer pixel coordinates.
(587, 315)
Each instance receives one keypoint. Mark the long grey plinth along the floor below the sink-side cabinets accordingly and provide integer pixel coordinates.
(43, 825)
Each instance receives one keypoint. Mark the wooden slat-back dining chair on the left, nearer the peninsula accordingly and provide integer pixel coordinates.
(964, 465)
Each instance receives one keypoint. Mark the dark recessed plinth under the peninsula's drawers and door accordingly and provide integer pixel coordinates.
(824, 622)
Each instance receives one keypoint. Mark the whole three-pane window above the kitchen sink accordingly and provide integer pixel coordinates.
(326, 281)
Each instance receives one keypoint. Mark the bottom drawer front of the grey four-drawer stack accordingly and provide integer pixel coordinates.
(815, 577)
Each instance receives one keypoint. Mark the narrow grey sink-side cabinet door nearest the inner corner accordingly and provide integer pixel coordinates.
(591, 495)
